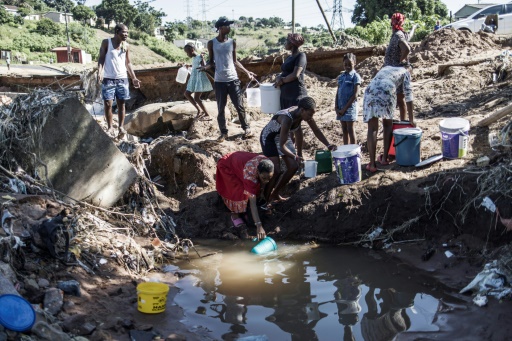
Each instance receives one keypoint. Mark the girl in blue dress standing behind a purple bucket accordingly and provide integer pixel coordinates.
(345, 104)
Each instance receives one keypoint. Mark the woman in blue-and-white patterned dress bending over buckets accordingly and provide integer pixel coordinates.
(380, 102)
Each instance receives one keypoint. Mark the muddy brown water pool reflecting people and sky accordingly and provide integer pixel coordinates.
(303, 293)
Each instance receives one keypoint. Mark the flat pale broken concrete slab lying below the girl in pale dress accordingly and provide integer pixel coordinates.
(158, 119)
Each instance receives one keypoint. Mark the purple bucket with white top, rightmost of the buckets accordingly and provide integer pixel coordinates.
(454, 137)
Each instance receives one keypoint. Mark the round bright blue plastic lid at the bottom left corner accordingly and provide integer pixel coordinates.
(16, 313)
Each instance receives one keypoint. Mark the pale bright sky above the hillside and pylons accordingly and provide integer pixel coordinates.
(306, 11)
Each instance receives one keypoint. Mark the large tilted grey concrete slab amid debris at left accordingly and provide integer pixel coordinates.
(81, 160)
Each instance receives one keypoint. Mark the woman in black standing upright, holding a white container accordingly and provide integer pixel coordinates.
(291, 79)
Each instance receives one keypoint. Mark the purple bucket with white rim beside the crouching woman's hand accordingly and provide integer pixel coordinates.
(347, 161)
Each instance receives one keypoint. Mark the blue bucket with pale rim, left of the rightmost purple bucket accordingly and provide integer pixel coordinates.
(408, 146)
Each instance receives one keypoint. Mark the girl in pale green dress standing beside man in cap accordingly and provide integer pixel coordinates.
(198, 83)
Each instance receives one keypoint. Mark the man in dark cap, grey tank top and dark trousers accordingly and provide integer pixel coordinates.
(222, 51)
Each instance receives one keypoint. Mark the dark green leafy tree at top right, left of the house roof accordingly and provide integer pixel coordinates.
(366, 11)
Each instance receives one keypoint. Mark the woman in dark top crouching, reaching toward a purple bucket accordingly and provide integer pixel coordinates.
(275, 141)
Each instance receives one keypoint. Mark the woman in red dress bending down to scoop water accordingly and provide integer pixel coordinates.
(238, 181)
